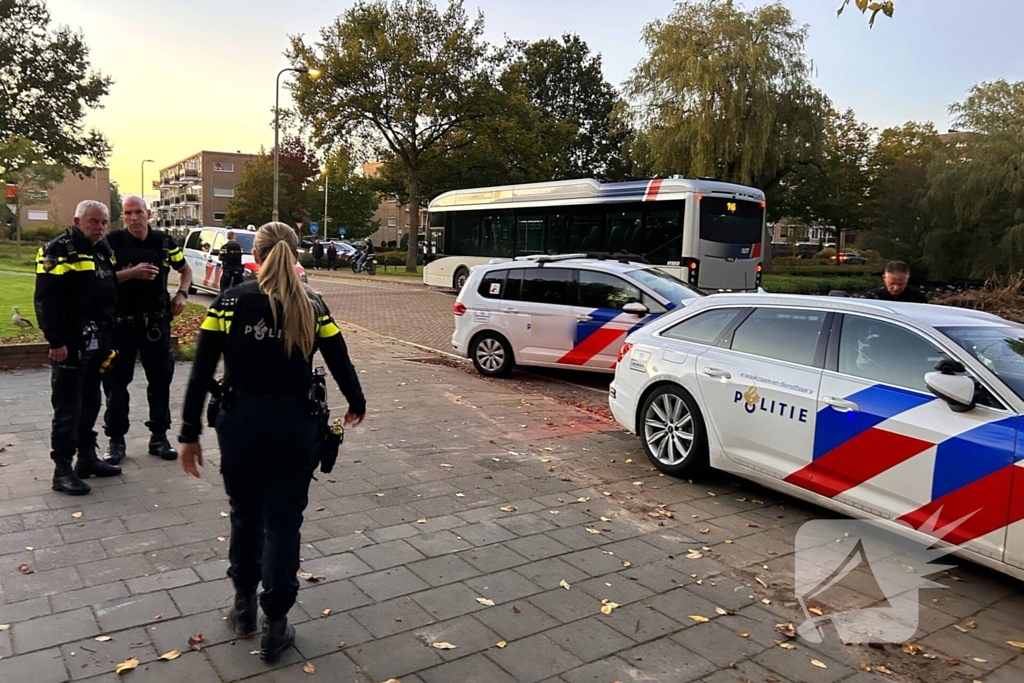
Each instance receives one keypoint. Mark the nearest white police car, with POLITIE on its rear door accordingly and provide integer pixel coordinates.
(906, 413)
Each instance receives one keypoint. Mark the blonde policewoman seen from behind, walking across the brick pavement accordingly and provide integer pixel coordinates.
(268, 332)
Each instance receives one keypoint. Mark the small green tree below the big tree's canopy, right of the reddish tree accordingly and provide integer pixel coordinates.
(351, 201)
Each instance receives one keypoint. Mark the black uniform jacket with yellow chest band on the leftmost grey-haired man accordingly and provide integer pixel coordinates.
(75, 286)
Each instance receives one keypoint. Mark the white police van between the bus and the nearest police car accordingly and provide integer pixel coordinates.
(559, 312)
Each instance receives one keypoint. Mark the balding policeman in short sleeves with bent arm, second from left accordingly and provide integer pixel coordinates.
(143, 259)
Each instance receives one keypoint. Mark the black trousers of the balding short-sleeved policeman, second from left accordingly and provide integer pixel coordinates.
(154, 346)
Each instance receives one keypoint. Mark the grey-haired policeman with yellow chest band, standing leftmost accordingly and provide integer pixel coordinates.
(76, 295)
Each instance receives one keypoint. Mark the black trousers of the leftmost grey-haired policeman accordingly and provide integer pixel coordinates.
(75, 396)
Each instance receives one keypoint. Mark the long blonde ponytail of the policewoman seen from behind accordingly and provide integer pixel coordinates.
(277, 245)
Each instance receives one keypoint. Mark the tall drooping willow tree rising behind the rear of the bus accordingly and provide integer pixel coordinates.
(727, 94)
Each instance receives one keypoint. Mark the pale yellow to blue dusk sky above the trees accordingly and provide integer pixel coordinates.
(197, 75)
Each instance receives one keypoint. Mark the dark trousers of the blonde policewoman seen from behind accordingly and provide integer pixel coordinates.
(268, 457)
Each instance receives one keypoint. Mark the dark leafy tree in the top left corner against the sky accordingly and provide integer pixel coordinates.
(49, 89)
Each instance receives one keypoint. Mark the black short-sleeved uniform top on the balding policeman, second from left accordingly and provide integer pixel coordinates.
(140, 297)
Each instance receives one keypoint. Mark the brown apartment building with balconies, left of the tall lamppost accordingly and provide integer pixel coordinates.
(197, 191)
